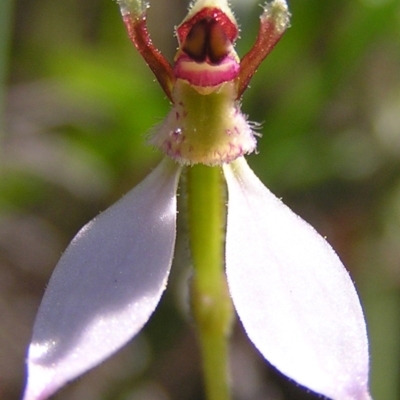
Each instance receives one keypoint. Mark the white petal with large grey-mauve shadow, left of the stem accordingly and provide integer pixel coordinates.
(106, 285)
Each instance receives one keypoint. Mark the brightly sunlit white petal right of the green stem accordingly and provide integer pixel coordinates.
(294, 297)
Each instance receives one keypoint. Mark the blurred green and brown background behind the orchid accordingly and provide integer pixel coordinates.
(76, 102)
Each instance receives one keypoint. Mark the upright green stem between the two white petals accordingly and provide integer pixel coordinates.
(211, 303)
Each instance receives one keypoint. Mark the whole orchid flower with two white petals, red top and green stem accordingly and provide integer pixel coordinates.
(291, 292)
